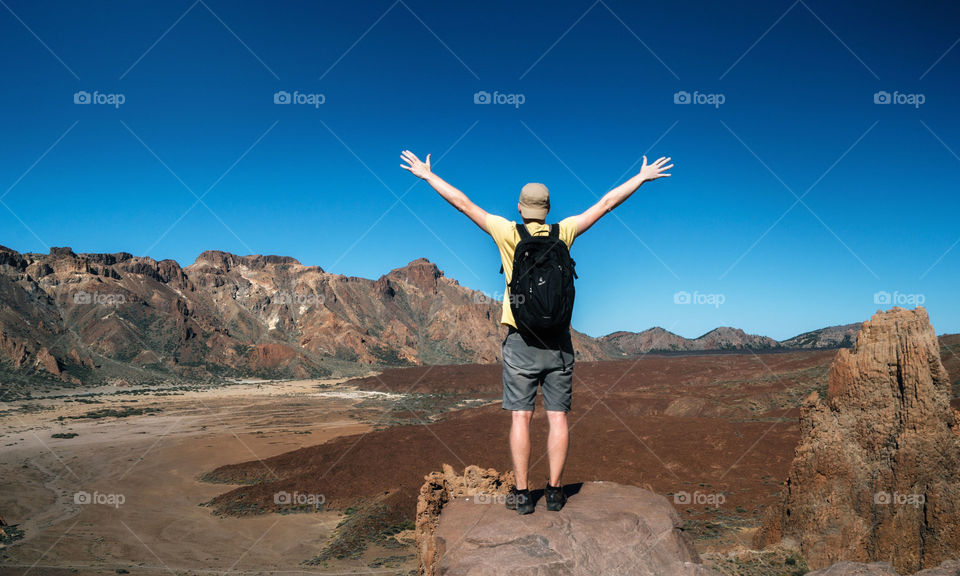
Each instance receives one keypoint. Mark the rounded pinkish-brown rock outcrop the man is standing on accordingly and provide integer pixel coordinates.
(605, 529)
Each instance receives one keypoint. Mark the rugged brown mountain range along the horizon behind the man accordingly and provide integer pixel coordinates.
(115, 318)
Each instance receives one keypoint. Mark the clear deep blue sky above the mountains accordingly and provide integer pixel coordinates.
(599, 81)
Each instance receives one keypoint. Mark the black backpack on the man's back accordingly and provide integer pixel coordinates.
(541, 290)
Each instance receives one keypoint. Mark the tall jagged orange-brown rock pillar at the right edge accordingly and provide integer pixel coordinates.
(875, 475)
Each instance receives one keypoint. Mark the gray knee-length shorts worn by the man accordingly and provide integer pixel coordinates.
(529, 362)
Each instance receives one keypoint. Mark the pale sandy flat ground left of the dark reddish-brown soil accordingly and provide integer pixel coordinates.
(154, 461)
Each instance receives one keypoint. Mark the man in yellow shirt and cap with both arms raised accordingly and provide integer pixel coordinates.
(530, 360)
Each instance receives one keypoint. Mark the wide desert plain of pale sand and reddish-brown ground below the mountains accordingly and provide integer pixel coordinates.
(198, 469)
